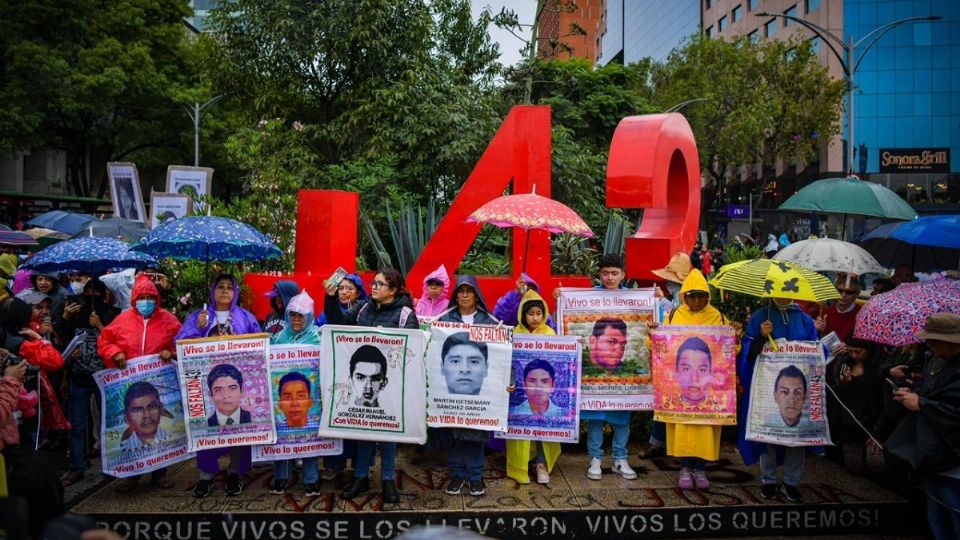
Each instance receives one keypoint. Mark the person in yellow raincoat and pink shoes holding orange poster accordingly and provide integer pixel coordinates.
(694, 444)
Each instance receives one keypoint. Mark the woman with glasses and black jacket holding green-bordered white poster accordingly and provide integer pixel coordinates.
(391, 306)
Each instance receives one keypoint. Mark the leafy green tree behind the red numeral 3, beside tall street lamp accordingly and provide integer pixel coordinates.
(766, 101)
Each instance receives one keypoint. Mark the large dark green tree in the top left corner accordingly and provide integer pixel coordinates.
(78, 74)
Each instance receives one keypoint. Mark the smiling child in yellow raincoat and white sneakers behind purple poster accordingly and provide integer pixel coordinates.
(532, 316)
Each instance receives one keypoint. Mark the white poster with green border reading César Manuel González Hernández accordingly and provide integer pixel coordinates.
(373, 383)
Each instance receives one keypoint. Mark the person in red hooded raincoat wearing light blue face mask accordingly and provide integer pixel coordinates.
(145, 329)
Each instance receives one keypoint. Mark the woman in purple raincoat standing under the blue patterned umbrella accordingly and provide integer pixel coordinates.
(223, 317)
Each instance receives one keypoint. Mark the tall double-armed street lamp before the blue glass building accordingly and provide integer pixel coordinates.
(846, 59)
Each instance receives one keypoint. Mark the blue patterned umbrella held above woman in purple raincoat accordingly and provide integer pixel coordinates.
(208, 238)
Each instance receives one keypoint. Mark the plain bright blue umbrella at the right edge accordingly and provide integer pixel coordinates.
(927, 243)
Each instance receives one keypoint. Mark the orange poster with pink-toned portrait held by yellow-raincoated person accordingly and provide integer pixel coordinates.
(694, 374)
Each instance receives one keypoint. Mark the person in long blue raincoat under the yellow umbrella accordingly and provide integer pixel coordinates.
(781, 318)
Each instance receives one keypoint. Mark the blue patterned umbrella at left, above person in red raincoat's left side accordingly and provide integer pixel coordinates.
(92, 255)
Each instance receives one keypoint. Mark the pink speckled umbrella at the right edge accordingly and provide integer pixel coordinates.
(894, 318)
